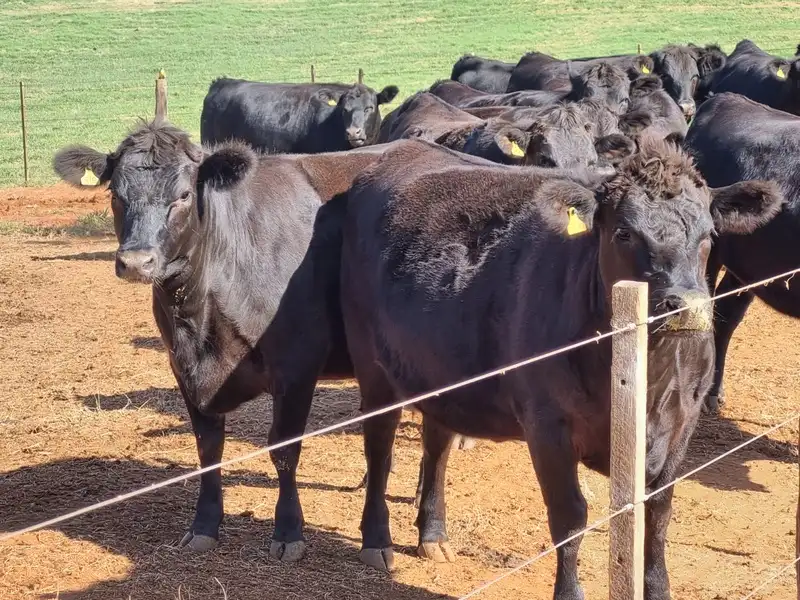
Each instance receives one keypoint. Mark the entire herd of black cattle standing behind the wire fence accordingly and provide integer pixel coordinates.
(485, 220)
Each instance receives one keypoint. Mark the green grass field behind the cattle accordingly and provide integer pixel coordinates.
(89, 65)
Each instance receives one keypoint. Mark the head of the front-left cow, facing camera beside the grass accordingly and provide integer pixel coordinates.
(152, 177)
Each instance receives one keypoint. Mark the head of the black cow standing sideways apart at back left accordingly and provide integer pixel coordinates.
(360, 114)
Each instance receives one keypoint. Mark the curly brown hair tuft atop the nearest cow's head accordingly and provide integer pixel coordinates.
(659, 167)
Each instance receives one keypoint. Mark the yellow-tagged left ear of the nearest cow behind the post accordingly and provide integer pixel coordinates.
(567, 207)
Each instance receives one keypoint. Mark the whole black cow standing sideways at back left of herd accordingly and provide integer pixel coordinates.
(293, 118)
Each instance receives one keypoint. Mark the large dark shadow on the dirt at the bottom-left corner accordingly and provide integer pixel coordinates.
(146, 530)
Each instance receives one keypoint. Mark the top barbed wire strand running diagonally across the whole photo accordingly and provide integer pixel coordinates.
(383, 410)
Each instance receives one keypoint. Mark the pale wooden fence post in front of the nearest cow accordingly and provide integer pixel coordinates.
(628, 440)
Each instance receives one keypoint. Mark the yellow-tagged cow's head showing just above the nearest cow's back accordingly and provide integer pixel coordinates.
(560, 136)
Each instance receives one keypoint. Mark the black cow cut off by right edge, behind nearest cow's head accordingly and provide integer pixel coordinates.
(732, 139)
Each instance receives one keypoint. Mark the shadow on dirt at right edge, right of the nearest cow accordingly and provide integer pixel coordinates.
(716, 435)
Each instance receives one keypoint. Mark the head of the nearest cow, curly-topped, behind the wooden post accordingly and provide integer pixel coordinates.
(654, 220)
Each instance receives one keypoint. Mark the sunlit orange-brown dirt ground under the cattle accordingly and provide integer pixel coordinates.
(89, 409)
